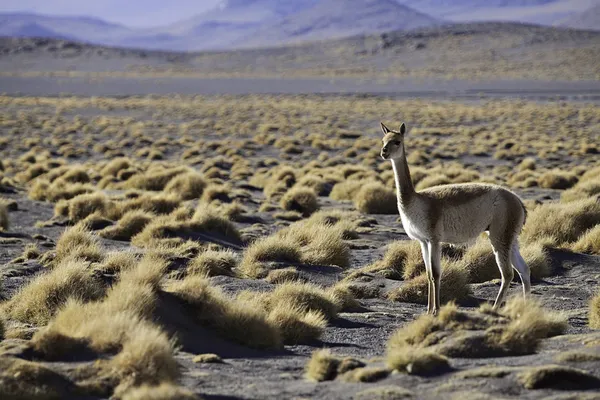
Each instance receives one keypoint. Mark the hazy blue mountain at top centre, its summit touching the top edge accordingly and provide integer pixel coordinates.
(339, 18)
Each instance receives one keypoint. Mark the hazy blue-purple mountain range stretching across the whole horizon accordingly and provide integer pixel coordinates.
(261, 23)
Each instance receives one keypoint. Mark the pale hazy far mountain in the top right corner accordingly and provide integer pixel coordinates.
(545, 12)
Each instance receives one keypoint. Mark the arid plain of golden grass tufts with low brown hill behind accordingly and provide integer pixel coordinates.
(222, 226)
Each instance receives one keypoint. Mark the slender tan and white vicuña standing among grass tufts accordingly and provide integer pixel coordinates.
(457, 214)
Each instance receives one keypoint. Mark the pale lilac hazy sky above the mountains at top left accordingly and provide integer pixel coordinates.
(127, 12)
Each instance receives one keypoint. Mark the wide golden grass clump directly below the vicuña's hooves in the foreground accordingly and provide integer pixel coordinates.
(516, 329)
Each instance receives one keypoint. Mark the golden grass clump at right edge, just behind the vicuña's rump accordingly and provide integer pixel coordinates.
(561, 223)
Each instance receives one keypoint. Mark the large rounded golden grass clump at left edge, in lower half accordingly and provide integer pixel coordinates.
(38, 301)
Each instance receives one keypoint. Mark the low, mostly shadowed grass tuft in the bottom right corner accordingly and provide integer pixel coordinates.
(558, 377)
